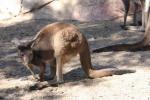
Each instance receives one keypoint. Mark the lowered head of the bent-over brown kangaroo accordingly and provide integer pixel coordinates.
(25, 52)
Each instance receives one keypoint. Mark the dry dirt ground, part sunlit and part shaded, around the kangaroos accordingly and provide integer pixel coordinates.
(16, 82)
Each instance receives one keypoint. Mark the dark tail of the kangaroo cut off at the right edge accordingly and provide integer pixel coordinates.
(140, 45)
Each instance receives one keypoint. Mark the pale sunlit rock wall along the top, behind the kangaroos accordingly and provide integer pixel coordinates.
(83, 10)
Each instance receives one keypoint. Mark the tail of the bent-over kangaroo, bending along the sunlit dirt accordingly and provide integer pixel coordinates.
(85, 60)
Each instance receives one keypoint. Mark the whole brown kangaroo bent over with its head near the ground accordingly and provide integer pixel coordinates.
(56, 44)
